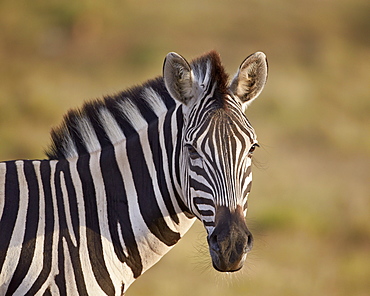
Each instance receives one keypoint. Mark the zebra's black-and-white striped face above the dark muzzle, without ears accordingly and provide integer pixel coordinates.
(217, 156)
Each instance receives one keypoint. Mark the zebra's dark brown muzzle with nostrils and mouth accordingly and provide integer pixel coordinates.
(230, 241)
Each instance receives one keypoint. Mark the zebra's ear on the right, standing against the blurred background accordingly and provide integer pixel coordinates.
(250, 78)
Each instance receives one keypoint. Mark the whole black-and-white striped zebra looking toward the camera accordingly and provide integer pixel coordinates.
(125, 178)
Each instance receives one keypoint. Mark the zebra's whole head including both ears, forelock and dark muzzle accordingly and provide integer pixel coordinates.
(217, 146)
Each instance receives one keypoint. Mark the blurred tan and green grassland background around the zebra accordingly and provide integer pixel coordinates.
(309, 209)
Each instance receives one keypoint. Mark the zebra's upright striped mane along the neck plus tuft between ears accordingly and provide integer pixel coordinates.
(105, 122)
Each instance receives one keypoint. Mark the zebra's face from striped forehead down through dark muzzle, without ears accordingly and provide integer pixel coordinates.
(217, 170)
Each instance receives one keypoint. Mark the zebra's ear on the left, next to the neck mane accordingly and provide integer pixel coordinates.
(178, 78)
